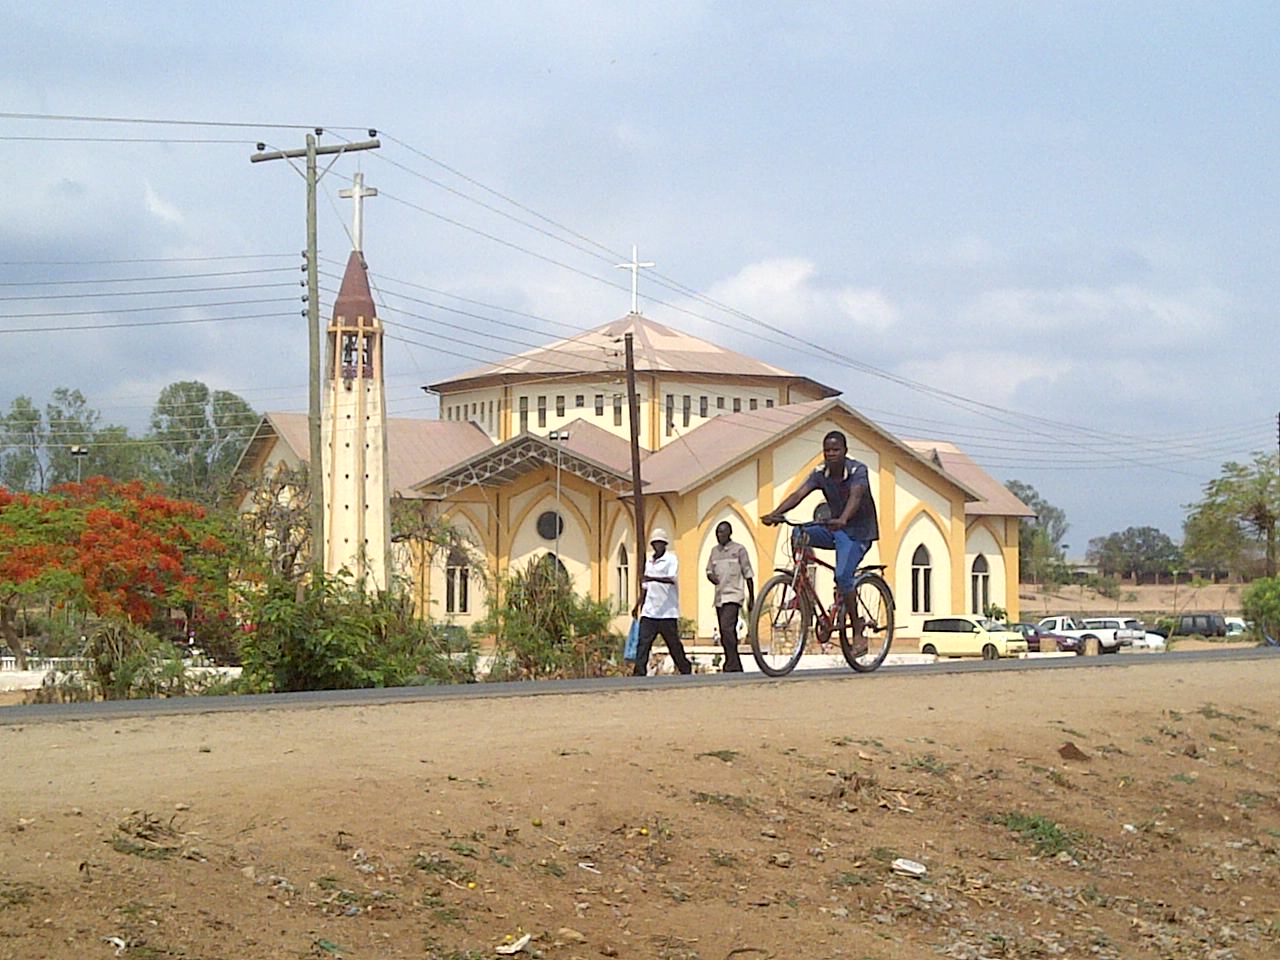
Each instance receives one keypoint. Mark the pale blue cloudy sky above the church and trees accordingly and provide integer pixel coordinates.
(1045, 232)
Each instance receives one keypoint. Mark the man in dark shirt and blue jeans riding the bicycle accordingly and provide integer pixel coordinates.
(852, 528)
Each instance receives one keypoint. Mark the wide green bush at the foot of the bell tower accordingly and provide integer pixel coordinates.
(331, 636)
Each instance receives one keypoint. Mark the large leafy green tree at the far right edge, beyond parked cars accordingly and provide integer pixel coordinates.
(1237, 516)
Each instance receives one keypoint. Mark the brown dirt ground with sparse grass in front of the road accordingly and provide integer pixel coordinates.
(734, 822)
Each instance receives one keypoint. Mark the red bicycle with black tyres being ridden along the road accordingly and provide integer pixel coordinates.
(789, 607)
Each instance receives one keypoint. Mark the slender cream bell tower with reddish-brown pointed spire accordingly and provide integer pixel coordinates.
(358, 528)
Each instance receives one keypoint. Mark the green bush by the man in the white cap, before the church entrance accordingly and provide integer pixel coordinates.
(543, 629)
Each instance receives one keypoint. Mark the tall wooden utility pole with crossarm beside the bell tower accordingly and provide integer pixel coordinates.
(316, 470)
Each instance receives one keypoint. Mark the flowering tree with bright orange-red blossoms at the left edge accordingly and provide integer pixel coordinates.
(124, 551)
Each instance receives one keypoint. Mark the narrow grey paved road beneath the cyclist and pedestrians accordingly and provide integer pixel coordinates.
(557, 688)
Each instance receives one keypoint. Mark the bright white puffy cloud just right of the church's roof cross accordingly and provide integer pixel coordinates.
(788, 292)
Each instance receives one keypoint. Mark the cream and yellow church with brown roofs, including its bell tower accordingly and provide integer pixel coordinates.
(531, 456)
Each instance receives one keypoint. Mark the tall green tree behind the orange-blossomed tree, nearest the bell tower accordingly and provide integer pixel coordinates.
(199, 437)
